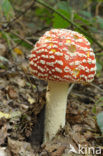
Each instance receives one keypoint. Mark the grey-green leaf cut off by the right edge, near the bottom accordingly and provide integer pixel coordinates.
(100, 121)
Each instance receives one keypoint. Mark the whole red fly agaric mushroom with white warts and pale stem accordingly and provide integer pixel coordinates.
(61, 56)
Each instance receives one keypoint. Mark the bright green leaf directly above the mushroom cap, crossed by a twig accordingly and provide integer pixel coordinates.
(59, 22)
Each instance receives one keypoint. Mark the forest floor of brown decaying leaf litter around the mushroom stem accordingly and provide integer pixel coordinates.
(22, 104)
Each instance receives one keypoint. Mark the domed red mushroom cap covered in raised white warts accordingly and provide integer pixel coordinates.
(63, 55)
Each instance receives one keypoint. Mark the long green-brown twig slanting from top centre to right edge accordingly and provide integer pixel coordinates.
(71, 22)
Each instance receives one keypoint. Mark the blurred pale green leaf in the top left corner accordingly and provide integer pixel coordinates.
(7, 9)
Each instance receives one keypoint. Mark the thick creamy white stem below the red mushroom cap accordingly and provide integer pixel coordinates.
(55, 108)
